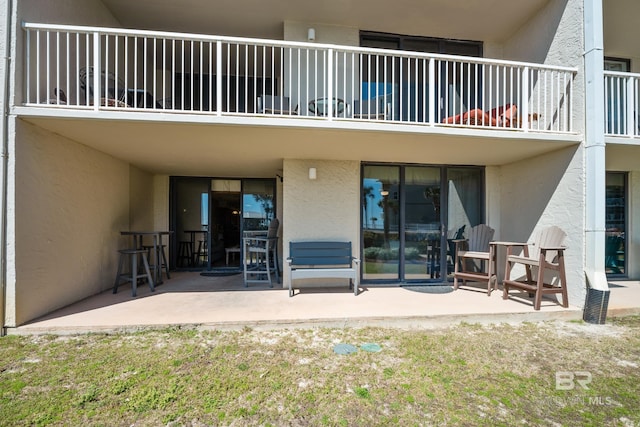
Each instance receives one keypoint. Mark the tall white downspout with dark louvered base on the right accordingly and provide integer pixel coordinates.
(595, 309)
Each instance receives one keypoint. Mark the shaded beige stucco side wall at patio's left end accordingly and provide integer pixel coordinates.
(72, 202)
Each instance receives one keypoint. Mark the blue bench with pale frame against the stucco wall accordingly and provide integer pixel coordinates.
(319, 260)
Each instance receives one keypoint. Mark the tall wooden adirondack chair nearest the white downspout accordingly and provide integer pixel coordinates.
(547, 253)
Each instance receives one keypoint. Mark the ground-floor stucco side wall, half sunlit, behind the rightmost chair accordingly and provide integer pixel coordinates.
(544, 191)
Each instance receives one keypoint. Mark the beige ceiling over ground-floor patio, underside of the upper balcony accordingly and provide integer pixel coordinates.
(257, 149)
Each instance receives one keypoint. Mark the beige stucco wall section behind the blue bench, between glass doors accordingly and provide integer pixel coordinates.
(326, 208)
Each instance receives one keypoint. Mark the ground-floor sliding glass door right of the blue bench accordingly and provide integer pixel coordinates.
(410, 217)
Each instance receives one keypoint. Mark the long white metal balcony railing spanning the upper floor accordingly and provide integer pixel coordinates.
(198, 74)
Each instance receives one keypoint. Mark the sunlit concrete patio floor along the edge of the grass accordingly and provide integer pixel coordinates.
(189, 298)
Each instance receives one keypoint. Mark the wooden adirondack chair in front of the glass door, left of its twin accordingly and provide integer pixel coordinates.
(474, 250)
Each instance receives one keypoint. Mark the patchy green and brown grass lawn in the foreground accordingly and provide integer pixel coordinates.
(559, 373)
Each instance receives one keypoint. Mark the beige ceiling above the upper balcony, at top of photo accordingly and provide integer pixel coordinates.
(486, 20)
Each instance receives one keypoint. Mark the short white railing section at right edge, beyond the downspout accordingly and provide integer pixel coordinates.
(622, 99)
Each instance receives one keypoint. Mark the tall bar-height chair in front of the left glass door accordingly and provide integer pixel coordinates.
(260, 255)
